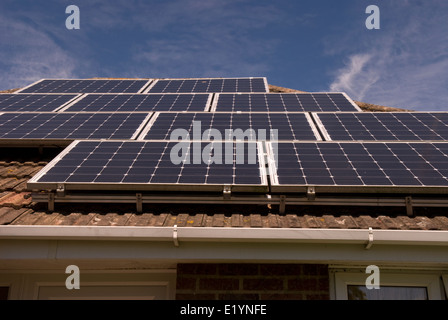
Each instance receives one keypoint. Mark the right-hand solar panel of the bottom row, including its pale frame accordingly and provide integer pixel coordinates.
(403, 167)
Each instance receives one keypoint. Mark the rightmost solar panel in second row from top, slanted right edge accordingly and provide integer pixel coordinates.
(284, 102)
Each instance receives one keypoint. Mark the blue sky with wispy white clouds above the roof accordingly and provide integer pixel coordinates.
(310, 45)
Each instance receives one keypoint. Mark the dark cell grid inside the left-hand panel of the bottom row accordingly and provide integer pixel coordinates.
(131, 162)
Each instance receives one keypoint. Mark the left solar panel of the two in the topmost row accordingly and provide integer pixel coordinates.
(86, 86)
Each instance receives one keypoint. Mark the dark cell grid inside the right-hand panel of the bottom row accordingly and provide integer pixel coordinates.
(367, 164)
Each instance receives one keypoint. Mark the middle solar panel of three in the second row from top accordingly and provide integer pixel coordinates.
(141, 102)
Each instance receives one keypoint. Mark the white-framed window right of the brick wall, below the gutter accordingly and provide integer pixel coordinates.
(393, 285)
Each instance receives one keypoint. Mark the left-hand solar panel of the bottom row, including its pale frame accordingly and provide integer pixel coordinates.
(137, 165)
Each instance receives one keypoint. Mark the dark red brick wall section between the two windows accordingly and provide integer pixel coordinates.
(252, 281)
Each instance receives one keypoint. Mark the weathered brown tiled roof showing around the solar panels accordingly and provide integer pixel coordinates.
(17, 166)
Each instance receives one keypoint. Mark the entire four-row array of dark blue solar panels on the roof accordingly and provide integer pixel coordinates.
(321, 139)
